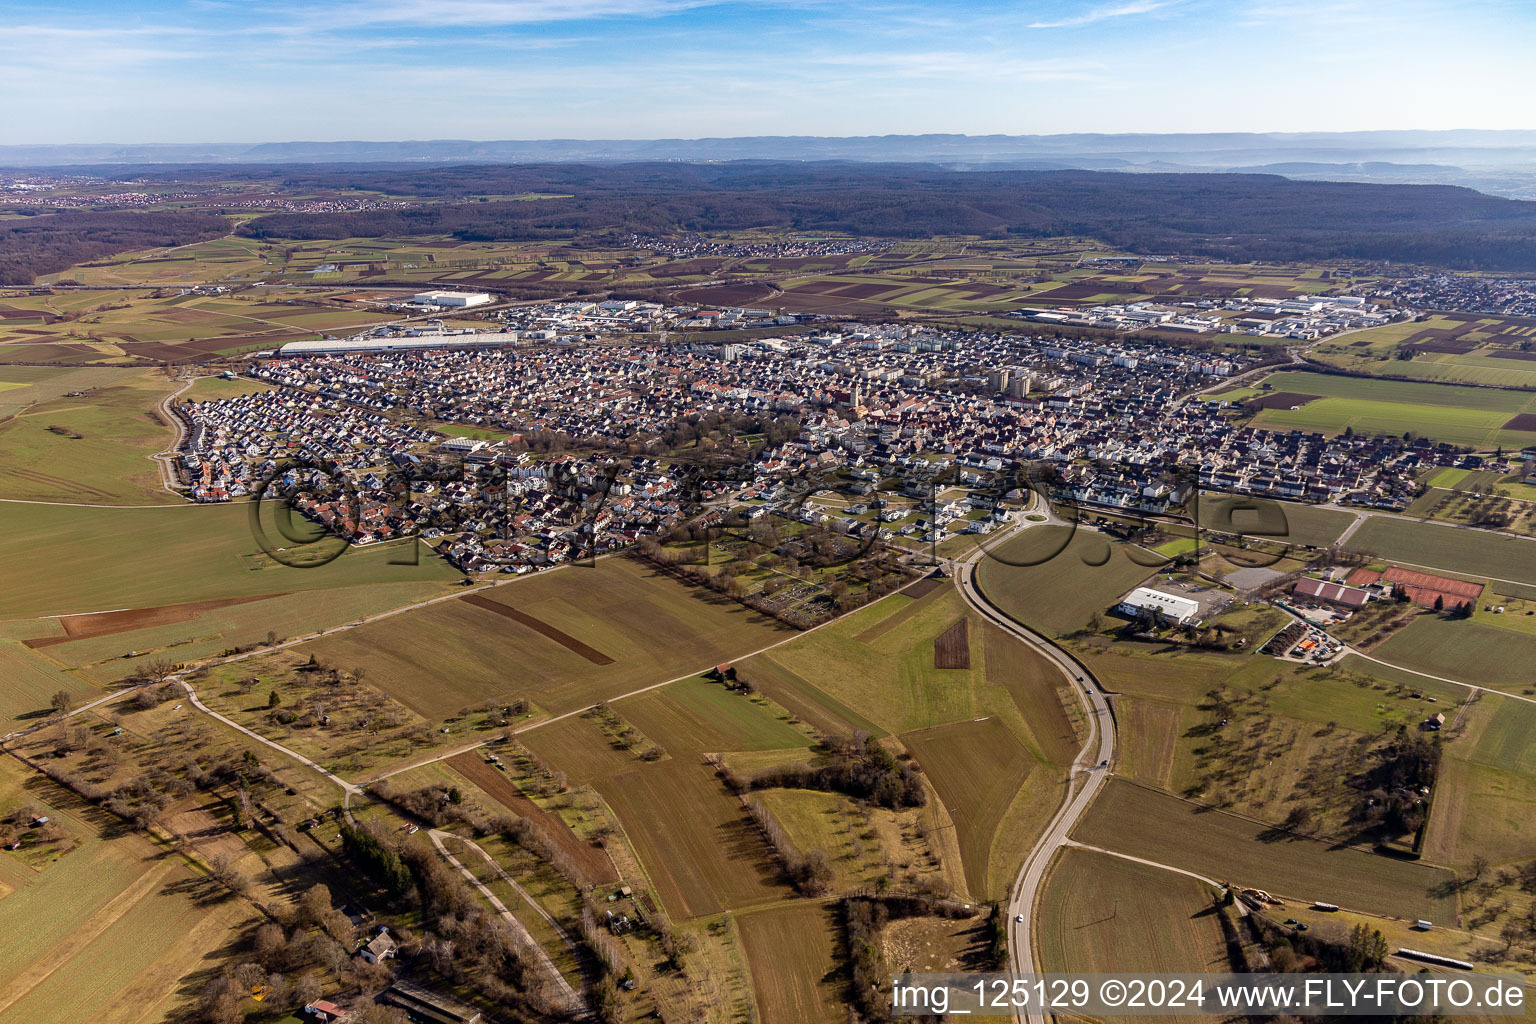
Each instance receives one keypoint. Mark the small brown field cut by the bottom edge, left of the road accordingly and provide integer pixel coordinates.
(792, 953)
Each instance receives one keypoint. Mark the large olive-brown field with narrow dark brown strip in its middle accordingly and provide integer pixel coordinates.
(580, 635)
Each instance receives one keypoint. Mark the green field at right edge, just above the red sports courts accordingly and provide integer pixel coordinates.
(1469, 552)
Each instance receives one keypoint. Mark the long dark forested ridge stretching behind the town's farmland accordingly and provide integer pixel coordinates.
(1225, 216)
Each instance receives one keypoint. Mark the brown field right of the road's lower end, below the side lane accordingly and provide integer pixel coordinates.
(1105, 914)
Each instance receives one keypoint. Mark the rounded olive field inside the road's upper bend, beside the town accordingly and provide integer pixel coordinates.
(1068, 587)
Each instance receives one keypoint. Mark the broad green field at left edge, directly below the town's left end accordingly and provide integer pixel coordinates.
(68, 561)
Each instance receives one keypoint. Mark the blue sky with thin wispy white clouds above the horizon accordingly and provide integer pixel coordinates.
(389, 70)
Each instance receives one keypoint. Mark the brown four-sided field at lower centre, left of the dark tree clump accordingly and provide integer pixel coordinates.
(701, 851)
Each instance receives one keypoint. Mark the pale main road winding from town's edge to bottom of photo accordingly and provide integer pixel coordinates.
(1090, 773)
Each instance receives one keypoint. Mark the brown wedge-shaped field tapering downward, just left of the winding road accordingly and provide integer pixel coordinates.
(978, 768)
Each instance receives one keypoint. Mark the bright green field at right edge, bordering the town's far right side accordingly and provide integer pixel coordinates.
(1478, 417)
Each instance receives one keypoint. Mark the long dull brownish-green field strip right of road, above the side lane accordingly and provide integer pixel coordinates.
(1131, 819)
